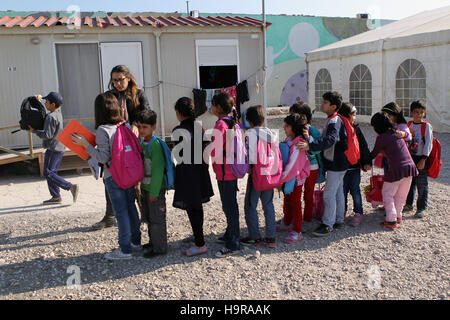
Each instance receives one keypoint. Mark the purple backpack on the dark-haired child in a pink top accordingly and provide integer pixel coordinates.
(238, 159)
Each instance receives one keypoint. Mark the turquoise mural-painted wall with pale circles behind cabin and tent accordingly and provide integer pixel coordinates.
(289, 38)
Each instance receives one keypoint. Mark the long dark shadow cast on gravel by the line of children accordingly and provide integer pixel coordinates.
(42, 273)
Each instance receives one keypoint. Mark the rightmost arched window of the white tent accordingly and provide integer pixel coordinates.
(410, 84)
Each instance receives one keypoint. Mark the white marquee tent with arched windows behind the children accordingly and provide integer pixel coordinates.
(403, 61)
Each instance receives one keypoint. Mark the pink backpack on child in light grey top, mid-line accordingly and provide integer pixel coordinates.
(268, 170)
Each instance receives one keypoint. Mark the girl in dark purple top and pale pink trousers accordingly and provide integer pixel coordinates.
(401, 168)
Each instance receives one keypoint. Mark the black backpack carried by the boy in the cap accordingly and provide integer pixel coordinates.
(32, 113)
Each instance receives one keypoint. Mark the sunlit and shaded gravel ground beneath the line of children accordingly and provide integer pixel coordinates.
(39, 243)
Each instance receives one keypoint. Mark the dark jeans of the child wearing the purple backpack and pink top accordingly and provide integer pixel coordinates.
(228, 192)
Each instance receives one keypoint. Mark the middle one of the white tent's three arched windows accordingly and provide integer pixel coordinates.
(361, 89)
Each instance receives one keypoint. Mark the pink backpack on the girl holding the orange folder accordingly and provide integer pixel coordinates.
(127, 167)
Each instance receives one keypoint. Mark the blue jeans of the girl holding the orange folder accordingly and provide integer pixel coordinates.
(123, 202)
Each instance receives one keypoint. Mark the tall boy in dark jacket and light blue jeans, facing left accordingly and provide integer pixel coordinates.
(333, 143)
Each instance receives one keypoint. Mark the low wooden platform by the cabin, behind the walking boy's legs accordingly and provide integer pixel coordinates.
(70, 160)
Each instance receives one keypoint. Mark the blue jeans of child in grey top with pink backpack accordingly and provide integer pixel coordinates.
(251, 215)
